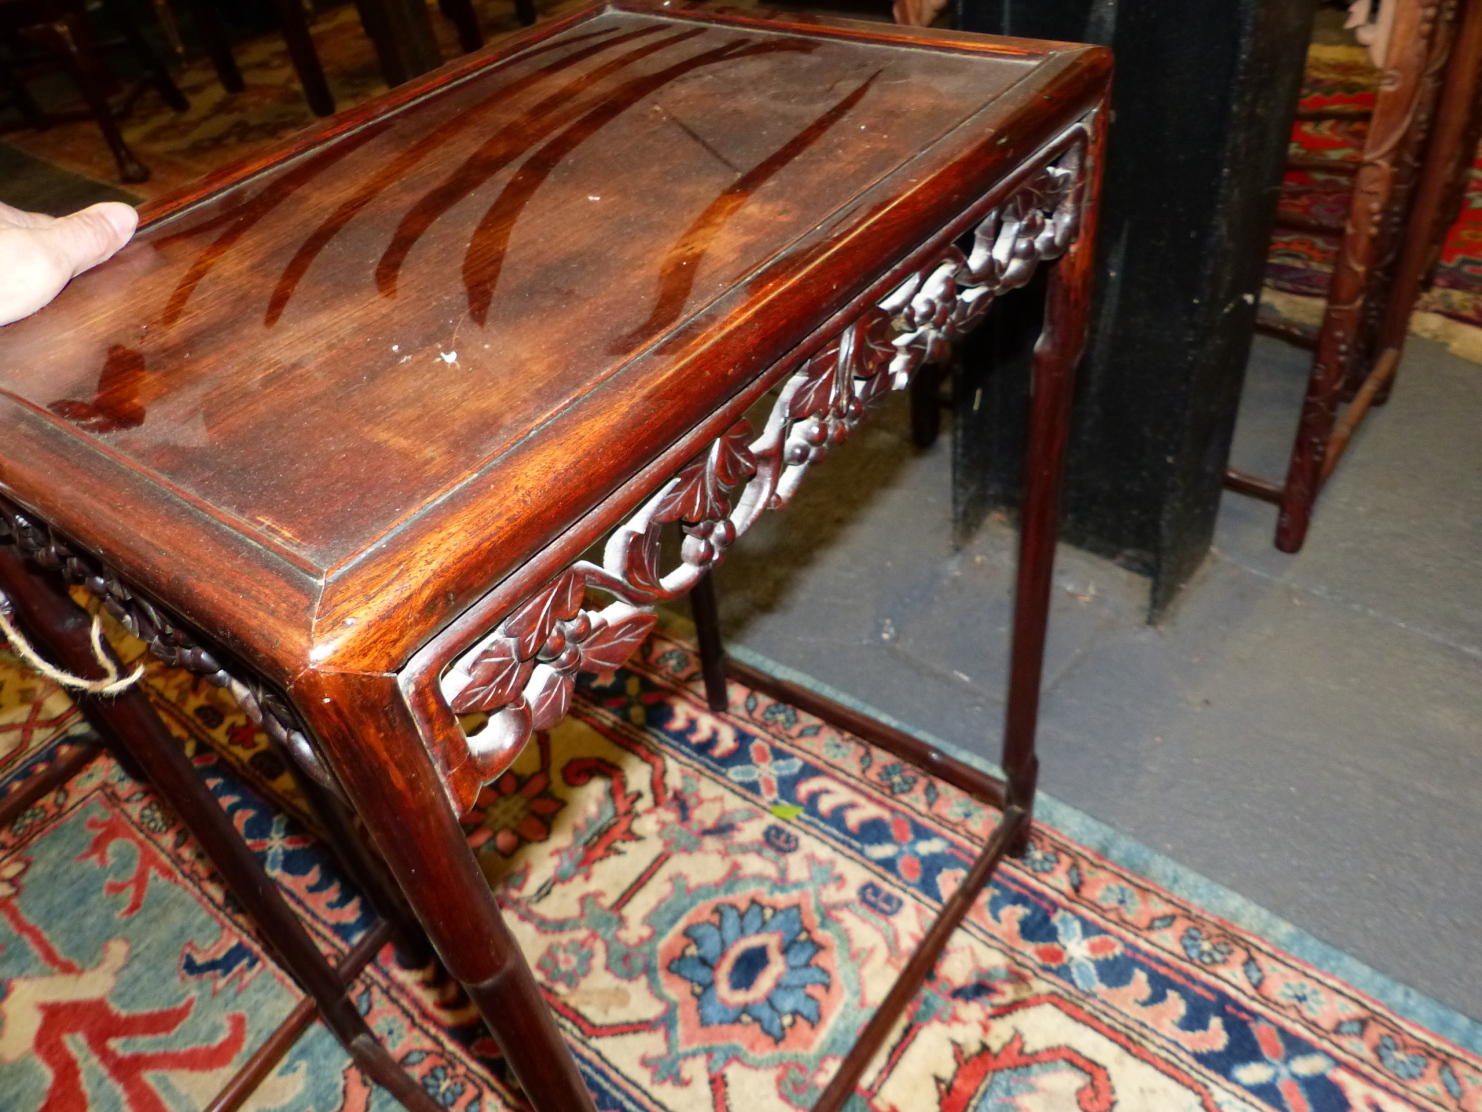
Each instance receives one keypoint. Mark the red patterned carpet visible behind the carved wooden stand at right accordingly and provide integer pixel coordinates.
(1300, 263)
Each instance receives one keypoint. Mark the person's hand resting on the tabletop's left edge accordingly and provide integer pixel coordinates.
(42, 254)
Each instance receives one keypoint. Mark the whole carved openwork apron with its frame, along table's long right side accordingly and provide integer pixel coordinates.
(521, 672)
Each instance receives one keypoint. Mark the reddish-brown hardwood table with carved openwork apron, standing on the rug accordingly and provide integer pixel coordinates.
(339, 428)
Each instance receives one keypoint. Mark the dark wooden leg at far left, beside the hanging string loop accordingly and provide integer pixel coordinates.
(60, 628)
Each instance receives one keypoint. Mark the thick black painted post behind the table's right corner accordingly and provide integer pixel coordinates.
(1203, 106)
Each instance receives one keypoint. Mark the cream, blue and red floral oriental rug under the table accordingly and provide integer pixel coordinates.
(714, 905)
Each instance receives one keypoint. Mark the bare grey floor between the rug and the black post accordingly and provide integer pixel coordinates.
(1305, 730)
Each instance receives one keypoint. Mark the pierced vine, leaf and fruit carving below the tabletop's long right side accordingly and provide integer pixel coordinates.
(525, 671)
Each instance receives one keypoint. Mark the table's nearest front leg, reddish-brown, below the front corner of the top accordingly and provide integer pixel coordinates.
(371, 742)
